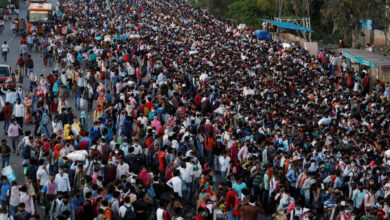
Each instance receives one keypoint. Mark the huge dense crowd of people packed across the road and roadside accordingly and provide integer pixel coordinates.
(174, 114)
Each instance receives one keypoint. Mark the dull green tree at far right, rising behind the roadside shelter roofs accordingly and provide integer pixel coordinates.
(345, 15)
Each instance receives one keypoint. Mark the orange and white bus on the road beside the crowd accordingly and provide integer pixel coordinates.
(38, 14)
